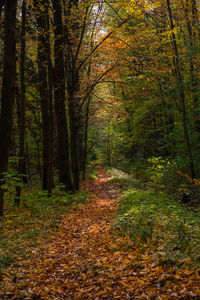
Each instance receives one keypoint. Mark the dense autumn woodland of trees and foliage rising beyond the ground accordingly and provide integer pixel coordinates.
(110, 82)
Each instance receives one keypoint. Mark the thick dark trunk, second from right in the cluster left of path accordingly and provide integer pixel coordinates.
(64, 168)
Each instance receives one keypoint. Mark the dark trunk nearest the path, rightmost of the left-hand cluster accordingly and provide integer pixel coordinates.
(73, 45)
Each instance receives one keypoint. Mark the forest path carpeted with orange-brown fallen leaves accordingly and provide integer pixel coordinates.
(83, 260)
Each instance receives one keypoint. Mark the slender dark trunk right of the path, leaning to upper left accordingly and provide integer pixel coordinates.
(181, 93)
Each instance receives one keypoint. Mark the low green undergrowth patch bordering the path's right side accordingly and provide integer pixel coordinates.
(170, 230)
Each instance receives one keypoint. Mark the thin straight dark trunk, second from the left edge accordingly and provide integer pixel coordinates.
(22, 160)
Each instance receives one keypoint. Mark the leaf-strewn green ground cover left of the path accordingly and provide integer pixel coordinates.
(25, 228)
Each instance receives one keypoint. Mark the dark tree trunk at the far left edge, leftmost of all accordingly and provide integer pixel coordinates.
(8, 89)
